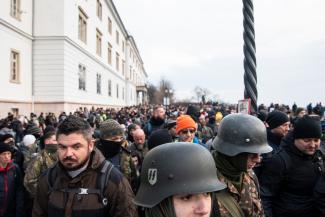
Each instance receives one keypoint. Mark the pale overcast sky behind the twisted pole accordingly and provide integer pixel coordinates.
(200, 43)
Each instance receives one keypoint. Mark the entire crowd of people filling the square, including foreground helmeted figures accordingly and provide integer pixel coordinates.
(156, 161)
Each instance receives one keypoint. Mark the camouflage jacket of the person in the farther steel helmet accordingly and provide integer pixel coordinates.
(248, 199)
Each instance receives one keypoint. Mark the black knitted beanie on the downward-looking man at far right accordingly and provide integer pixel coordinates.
(307, 127)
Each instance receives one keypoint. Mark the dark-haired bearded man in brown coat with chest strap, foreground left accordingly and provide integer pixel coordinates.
(74, 186)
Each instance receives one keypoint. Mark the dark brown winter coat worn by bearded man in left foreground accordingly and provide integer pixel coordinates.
(58, 200)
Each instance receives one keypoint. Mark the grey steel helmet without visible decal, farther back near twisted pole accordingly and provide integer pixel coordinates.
(239, 133)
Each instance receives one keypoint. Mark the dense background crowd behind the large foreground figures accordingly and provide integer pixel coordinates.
(129, 132)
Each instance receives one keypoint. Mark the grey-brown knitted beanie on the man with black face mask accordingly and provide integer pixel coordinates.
(110, 128)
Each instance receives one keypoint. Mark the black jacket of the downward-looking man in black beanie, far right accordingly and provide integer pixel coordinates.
(287, 182)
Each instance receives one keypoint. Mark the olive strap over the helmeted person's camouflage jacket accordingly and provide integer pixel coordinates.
(230, 203)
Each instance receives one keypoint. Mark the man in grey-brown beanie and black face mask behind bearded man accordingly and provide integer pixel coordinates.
(113, 146)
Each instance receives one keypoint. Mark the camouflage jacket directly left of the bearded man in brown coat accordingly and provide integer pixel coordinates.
(36, 167)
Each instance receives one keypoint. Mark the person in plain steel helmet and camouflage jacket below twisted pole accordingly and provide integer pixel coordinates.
(240, 141)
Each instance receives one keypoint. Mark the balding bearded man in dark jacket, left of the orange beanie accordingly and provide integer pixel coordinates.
(157, 121)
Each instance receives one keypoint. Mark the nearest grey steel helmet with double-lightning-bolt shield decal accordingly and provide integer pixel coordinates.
(176, 168)
